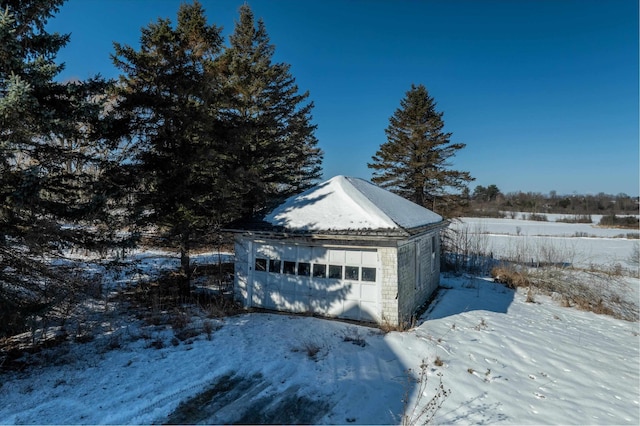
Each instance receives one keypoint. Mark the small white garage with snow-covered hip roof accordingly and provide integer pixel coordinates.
(344, 248)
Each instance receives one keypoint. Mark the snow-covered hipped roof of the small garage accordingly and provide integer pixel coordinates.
(346, 203)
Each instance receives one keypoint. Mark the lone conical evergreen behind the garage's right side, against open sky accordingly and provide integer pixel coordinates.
(414, 162)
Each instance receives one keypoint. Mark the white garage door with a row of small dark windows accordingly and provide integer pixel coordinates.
(324, 280)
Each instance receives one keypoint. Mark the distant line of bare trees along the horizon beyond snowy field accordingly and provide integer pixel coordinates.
(490, 201)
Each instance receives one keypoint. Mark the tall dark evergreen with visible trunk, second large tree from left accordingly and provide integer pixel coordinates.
(169, 97)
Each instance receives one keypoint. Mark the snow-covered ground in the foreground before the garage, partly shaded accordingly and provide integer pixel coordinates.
(504, 360)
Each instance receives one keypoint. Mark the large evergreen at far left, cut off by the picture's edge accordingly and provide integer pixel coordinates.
(51, 192)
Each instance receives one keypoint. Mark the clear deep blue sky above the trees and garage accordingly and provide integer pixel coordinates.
(544, 93)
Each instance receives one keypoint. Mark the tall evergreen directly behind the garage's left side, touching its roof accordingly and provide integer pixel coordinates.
(273, 148)
